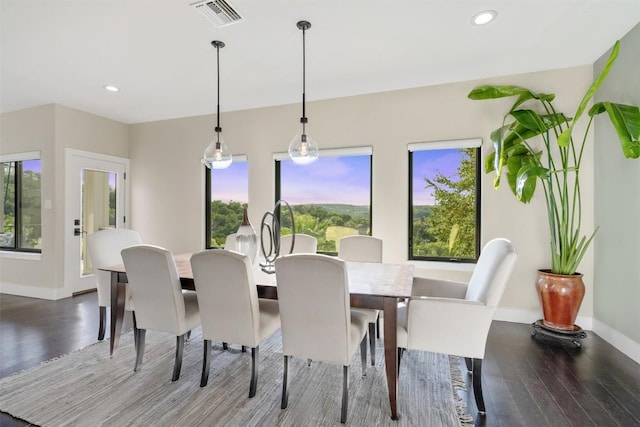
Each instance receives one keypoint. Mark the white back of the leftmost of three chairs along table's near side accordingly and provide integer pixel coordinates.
(155, 289)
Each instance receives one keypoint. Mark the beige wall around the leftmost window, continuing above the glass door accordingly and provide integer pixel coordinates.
(51, 129)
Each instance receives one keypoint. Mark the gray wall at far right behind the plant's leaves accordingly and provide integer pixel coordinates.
(617, 207)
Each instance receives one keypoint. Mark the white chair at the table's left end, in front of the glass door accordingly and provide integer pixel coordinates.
(104, 248)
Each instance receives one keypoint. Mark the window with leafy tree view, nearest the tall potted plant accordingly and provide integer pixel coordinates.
(444, 201)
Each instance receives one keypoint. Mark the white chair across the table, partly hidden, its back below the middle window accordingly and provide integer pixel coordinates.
(363, 248)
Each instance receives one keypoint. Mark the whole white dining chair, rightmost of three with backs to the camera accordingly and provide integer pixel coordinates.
(316, 317)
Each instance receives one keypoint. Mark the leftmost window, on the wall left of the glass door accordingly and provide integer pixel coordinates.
(21, 200)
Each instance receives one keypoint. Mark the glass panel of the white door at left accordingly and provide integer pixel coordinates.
(98, 208)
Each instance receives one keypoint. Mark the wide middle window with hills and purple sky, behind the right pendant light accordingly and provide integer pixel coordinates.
(330, 198)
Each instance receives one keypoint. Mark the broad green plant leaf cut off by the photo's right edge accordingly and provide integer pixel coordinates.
(626, 121)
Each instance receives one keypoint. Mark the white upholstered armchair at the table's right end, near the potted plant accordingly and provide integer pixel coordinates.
(454, 318)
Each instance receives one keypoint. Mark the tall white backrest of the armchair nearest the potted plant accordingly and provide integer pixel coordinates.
(492, 272)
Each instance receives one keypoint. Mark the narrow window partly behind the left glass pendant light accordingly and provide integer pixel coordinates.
(226, 196)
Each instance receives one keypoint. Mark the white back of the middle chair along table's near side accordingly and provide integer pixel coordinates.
(227, 296)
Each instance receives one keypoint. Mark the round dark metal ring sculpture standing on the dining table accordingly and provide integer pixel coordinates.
(270, 232)
